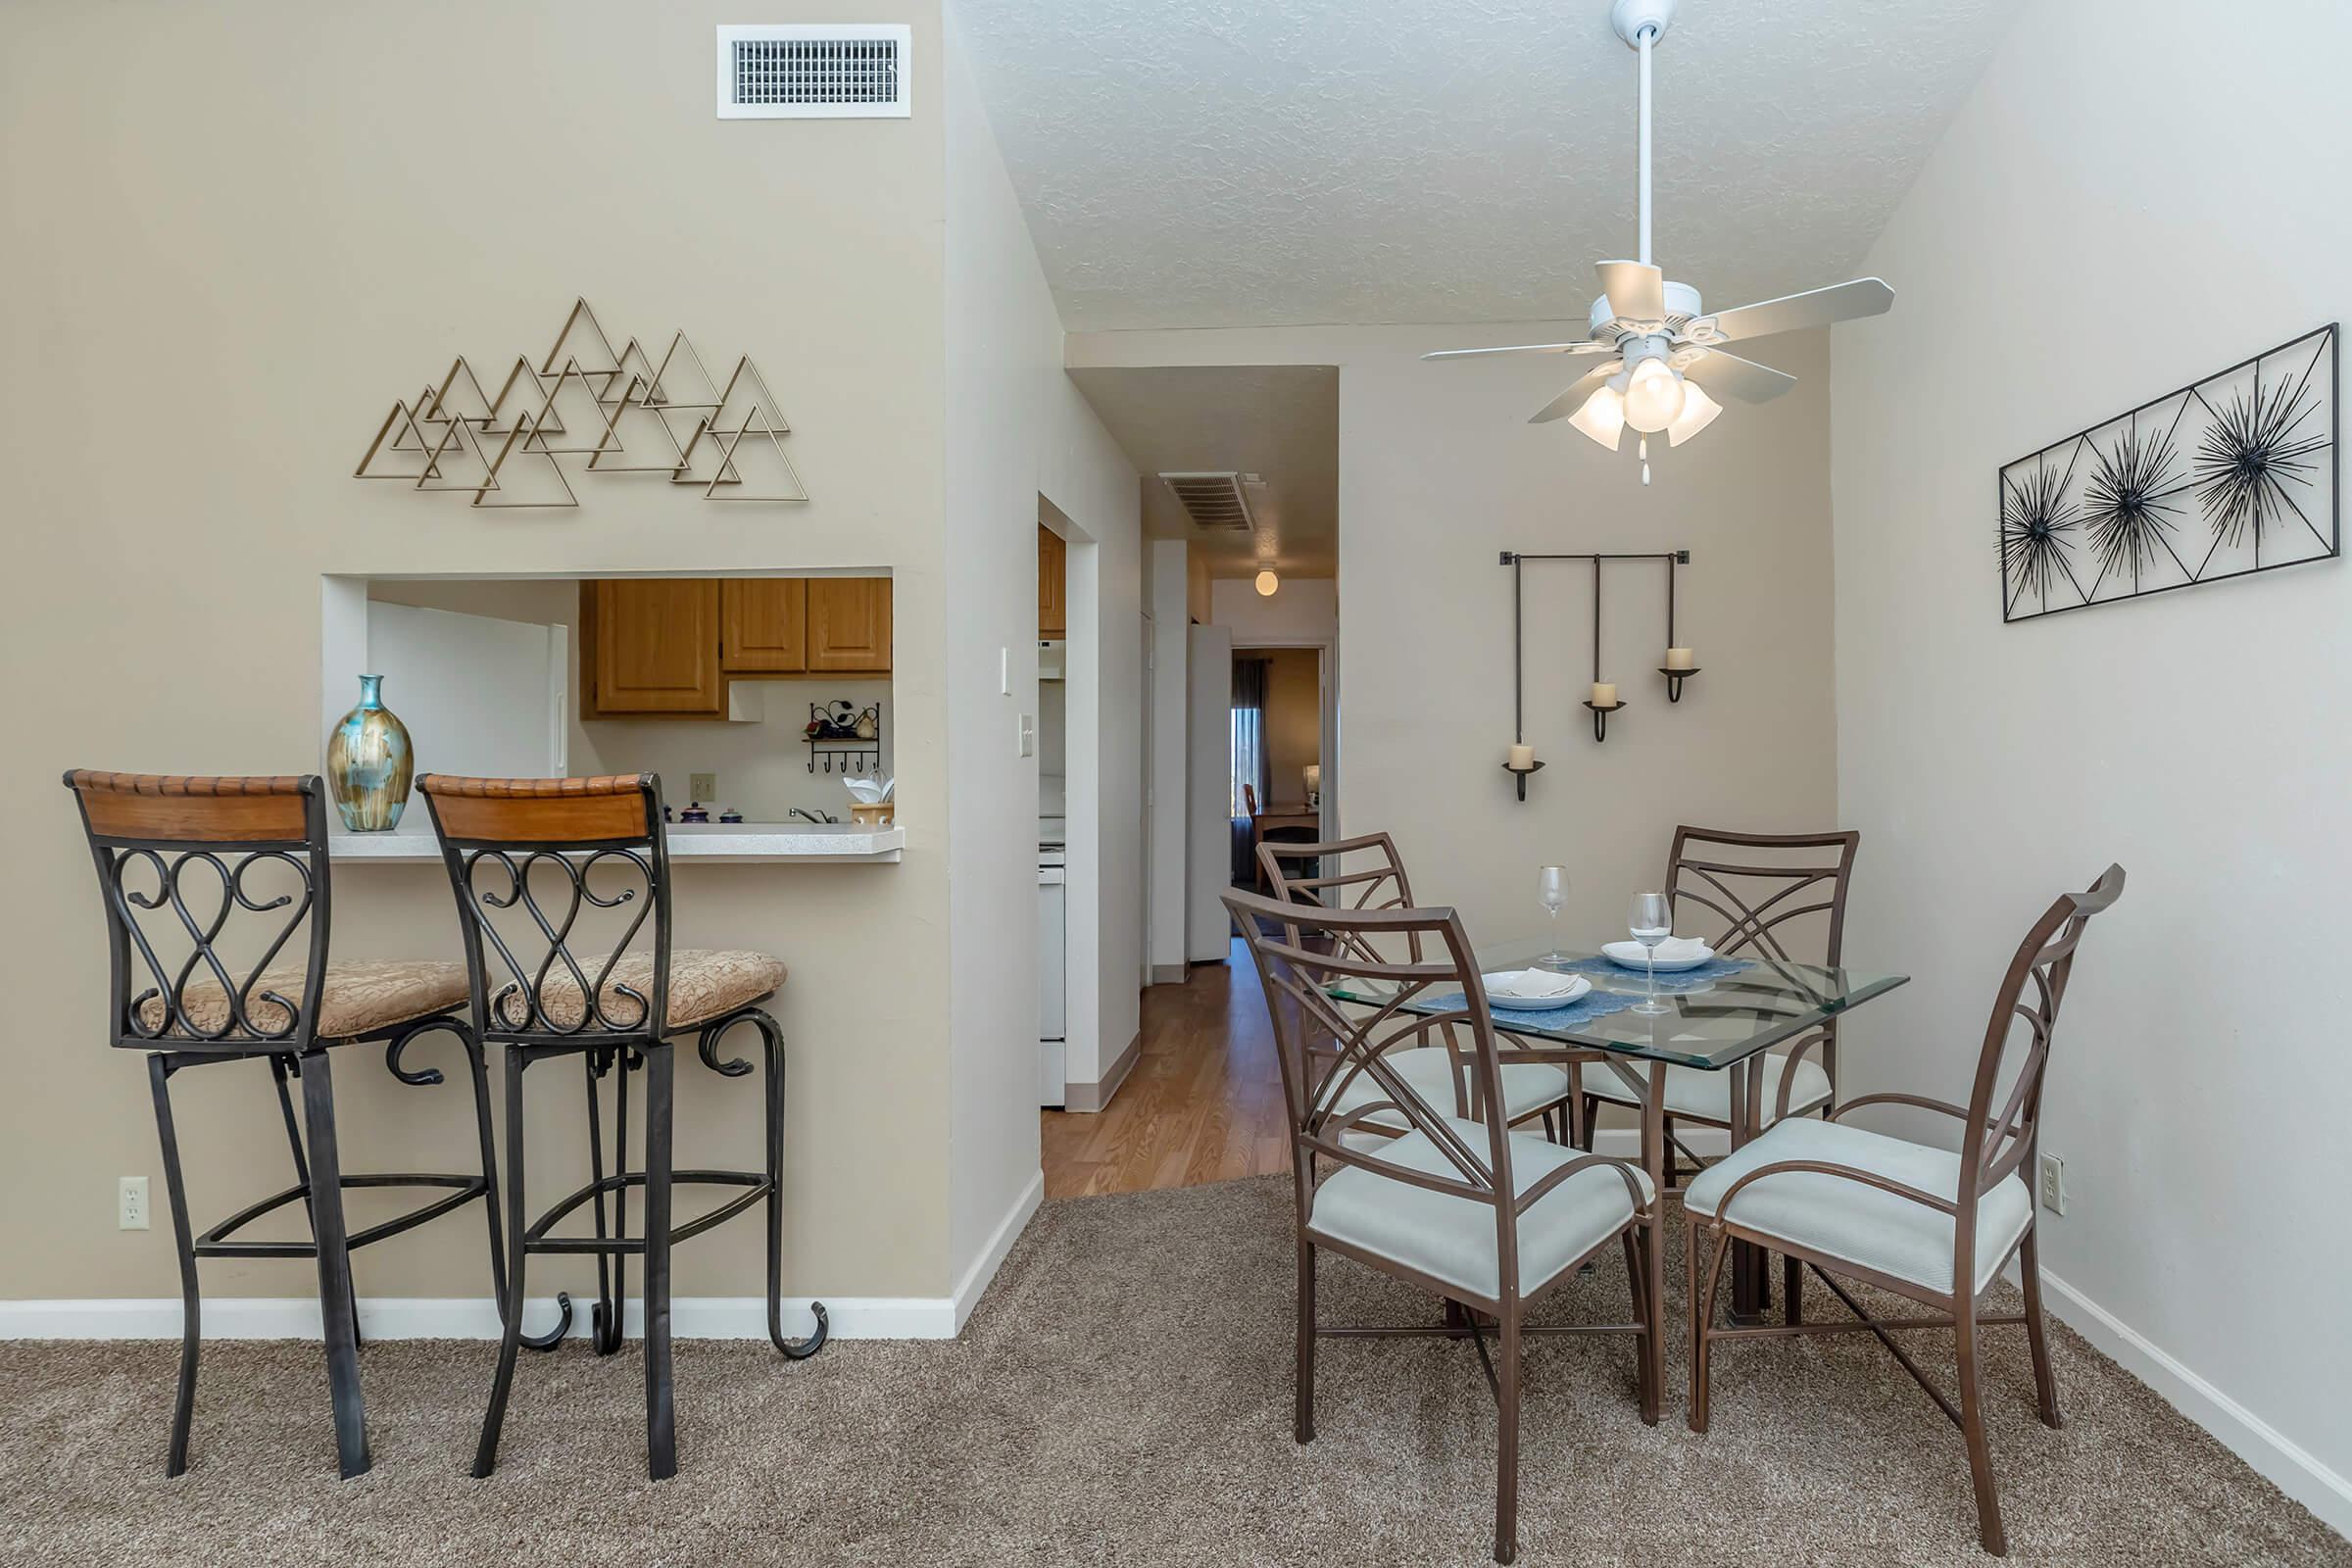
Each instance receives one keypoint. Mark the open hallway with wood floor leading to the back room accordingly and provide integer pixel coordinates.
(1241, 518)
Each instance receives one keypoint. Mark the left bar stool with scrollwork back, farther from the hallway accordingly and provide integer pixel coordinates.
(194, 873)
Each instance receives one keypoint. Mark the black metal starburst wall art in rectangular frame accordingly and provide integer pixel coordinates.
(2224, 478)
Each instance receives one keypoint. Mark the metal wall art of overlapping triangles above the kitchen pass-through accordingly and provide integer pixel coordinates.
(589, 410)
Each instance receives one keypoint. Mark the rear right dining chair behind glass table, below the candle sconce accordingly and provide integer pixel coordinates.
(1765, 897)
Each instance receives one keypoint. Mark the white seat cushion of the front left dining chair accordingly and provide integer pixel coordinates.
(1452, 1238)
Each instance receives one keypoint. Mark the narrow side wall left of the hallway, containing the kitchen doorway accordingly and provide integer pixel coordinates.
(1020, 431)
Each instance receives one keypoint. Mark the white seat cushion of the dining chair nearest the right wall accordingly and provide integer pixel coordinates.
(1859, 1224)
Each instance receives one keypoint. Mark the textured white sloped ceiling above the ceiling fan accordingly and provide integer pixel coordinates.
(1234, 163)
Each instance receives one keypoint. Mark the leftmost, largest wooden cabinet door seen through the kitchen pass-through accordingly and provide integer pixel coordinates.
(655, 648)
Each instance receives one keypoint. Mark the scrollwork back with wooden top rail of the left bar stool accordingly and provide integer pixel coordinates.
(211, 885)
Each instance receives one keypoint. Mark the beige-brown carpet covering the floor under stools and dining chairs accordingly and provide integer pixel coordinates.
(1121, 1398)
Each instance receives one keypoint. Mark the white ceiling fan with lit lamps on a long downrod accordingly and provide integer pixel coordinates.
(1664, 354)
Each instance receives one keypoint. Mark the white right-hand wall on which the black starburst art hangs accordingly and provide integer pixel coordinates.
(2109, 170)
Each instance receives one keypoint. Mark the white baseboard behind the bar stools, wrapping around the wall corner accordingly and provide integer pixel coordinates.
(474, 1318)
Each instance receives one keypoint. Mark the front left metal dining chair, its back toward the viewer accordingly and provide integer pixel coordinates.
(1485, 1219)
